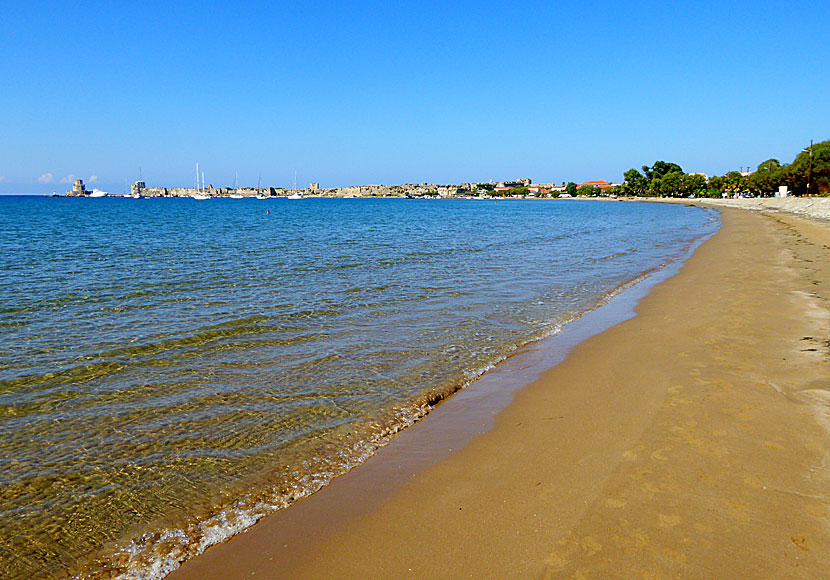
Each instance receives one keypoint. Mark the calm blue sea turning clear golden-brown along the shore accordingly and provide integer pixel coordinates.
(172, 370)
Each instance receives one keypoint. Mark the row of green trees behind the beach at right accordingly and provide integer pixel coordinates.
(810, 167)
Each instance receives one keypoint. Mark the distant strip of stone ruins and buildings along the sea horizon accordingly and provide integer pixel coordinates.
(519, 188)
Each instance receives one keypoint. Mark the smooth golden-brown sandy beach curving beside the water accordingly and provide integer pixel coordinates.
(692, 441)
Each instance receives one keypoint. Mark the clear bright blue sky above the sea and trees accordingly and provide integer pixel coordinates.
(446, 92)
